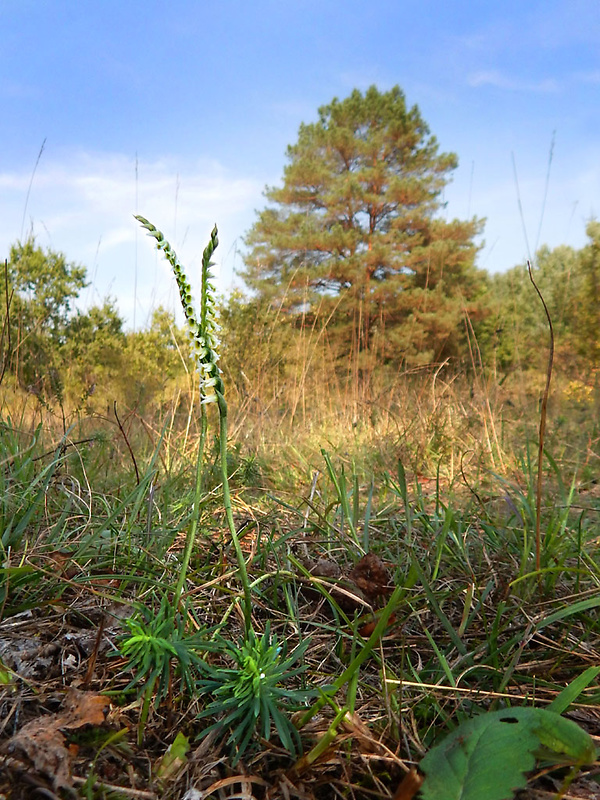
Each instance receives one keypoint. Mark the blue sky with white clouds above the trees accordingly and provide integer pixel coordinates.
(182, 111)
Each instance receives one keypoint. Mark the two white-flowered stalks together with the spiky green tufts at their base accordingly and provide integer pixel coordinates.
(249, 694)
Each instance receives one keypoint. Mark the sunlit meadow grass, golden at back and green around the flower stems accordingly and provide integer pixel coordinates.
(436, 487)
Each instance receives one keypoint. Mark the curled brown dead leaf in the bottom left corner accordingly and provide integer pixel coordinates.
(42, 742)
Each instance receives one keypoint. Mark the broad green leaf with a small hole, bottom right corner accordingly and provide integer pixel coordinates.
(488, 756)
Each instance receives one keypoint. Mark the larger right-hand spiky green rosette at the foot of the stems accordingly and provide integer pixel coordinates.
(248, 696)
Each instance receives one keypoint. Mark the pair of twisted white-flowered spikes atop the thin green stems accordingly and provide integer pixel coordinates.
(202, 332)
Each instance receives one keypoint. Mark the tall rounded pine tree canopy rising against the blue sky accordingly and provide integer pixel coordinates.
(354, 234)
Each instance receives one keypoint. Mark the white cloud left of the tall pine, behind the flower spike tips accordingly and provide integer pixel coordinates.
(83, 205)
